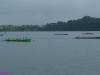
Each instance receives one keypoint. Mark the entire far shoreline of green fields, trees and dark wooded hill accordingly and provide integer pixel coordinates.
(87, 23)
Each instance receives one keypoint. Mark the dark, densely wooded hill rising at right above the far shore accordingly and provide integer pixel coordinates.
(87, 23)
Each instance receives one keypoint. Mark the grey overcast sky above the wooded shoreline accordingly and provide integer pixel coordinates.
(41, 12)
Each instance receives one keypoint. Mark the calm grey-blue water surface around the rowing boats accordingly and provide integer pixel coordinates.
(50, 54)
